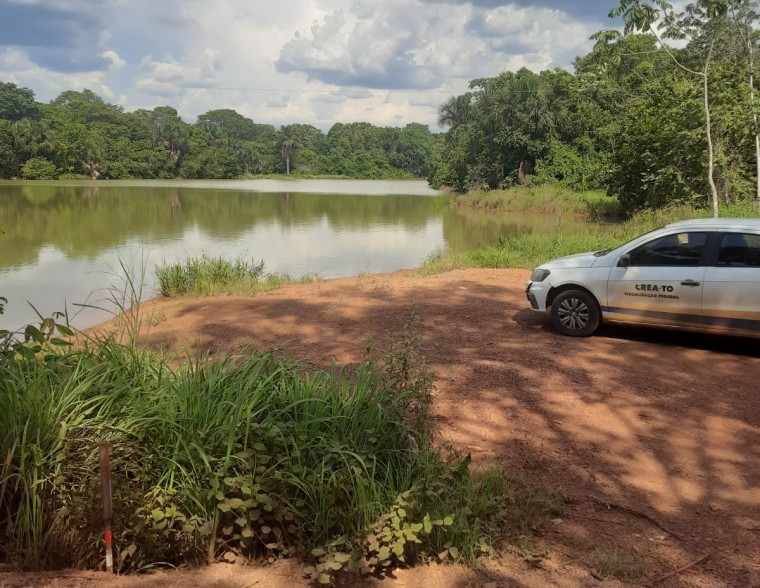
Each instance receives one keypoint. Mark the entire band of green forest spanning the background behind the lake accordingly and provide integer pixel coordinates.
(649, 123)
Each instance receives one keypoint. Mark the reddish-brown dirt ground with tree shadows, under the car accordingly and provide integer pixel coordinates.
(651, 436)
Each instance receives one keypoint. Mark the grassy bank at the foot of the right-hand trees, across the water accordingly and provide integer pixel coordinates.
(544, 199)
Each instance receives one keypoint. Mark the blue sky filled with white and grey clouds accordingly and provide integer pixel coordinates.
(386, 62)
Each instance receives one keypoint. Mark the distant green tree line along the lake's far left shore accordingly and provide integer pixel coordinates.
(79, 134)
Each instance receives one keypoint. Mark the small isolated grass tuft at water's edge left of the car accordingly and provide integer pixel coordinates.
(209, 276)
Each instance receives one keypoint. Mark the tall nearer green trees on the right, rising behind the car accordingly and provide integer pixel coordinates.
(648, 122)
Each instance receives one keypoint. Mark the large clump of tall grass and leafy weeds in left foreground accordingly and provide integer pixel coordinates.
(246, 455)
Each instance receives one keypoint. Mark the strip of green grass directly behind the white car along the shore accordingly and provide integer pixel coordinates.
(527, 250)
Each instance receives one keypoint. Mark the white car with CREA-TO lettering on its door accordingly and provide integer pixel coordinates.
(699, 274)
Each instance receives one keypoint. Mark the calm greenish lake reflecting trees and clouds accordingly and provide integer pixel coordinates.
(65, 243)
